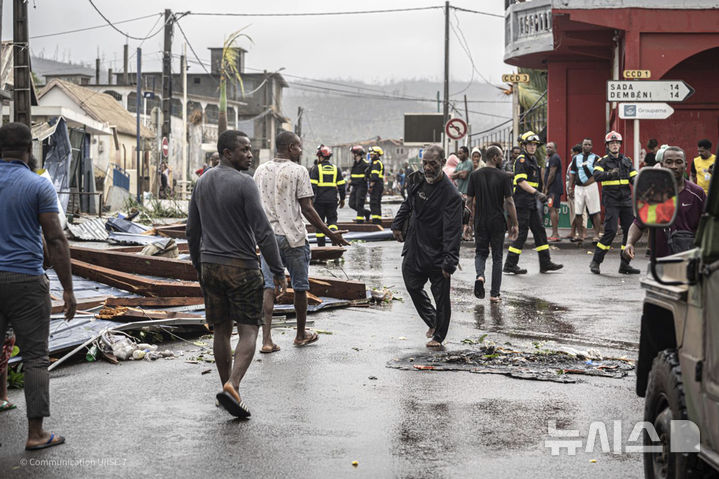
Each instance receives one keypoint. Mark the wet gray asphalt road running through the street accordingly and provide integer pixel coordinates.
(315, 410)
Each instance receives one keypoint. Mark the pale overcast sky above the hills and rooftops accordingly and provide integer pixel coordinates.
(373, 48)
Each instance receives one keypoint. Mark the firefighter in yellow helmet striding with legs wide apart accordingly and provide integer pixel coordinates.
(527, 190)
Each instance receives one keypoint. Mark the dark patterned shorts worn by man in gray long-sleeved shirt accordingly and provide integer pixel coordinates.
(232, 294)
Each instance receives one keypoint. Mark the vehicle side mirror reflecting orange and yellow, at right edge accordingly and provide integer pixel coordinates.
(655, 197)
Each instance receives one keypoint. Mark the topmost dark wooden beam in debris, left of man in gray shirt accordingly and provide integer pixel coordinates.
(136, 263)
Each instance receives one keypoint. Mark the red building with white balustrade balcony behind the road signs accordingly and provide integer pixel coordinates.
(584, 43)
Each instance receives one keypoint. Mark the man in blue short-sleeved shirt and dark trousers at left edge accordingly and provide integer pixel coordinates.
(29, 203)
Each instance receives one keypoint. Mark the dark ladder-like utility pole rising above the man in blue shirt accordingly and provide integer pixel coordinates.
(21, 73)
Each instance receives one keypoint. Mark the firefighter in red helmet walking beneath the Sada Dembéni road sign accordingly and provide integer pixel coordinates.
(615, 172)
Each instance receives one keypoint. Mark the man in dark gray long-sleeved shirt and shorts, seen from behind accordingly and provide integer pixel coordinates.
(225, 222)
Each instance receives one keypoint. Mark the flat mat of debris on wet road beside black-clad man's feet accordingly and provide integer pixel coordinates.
(541, 365)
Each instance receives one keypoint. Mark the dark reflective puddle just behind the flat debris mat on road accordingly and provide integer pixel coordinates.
(523, 313)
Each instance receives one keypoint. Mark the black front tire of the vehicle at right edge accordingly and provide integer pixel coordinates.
(665, 402)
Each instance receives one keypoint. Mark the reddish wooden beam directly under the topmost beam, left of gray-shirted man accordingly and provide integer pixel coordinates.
(135, 284)
